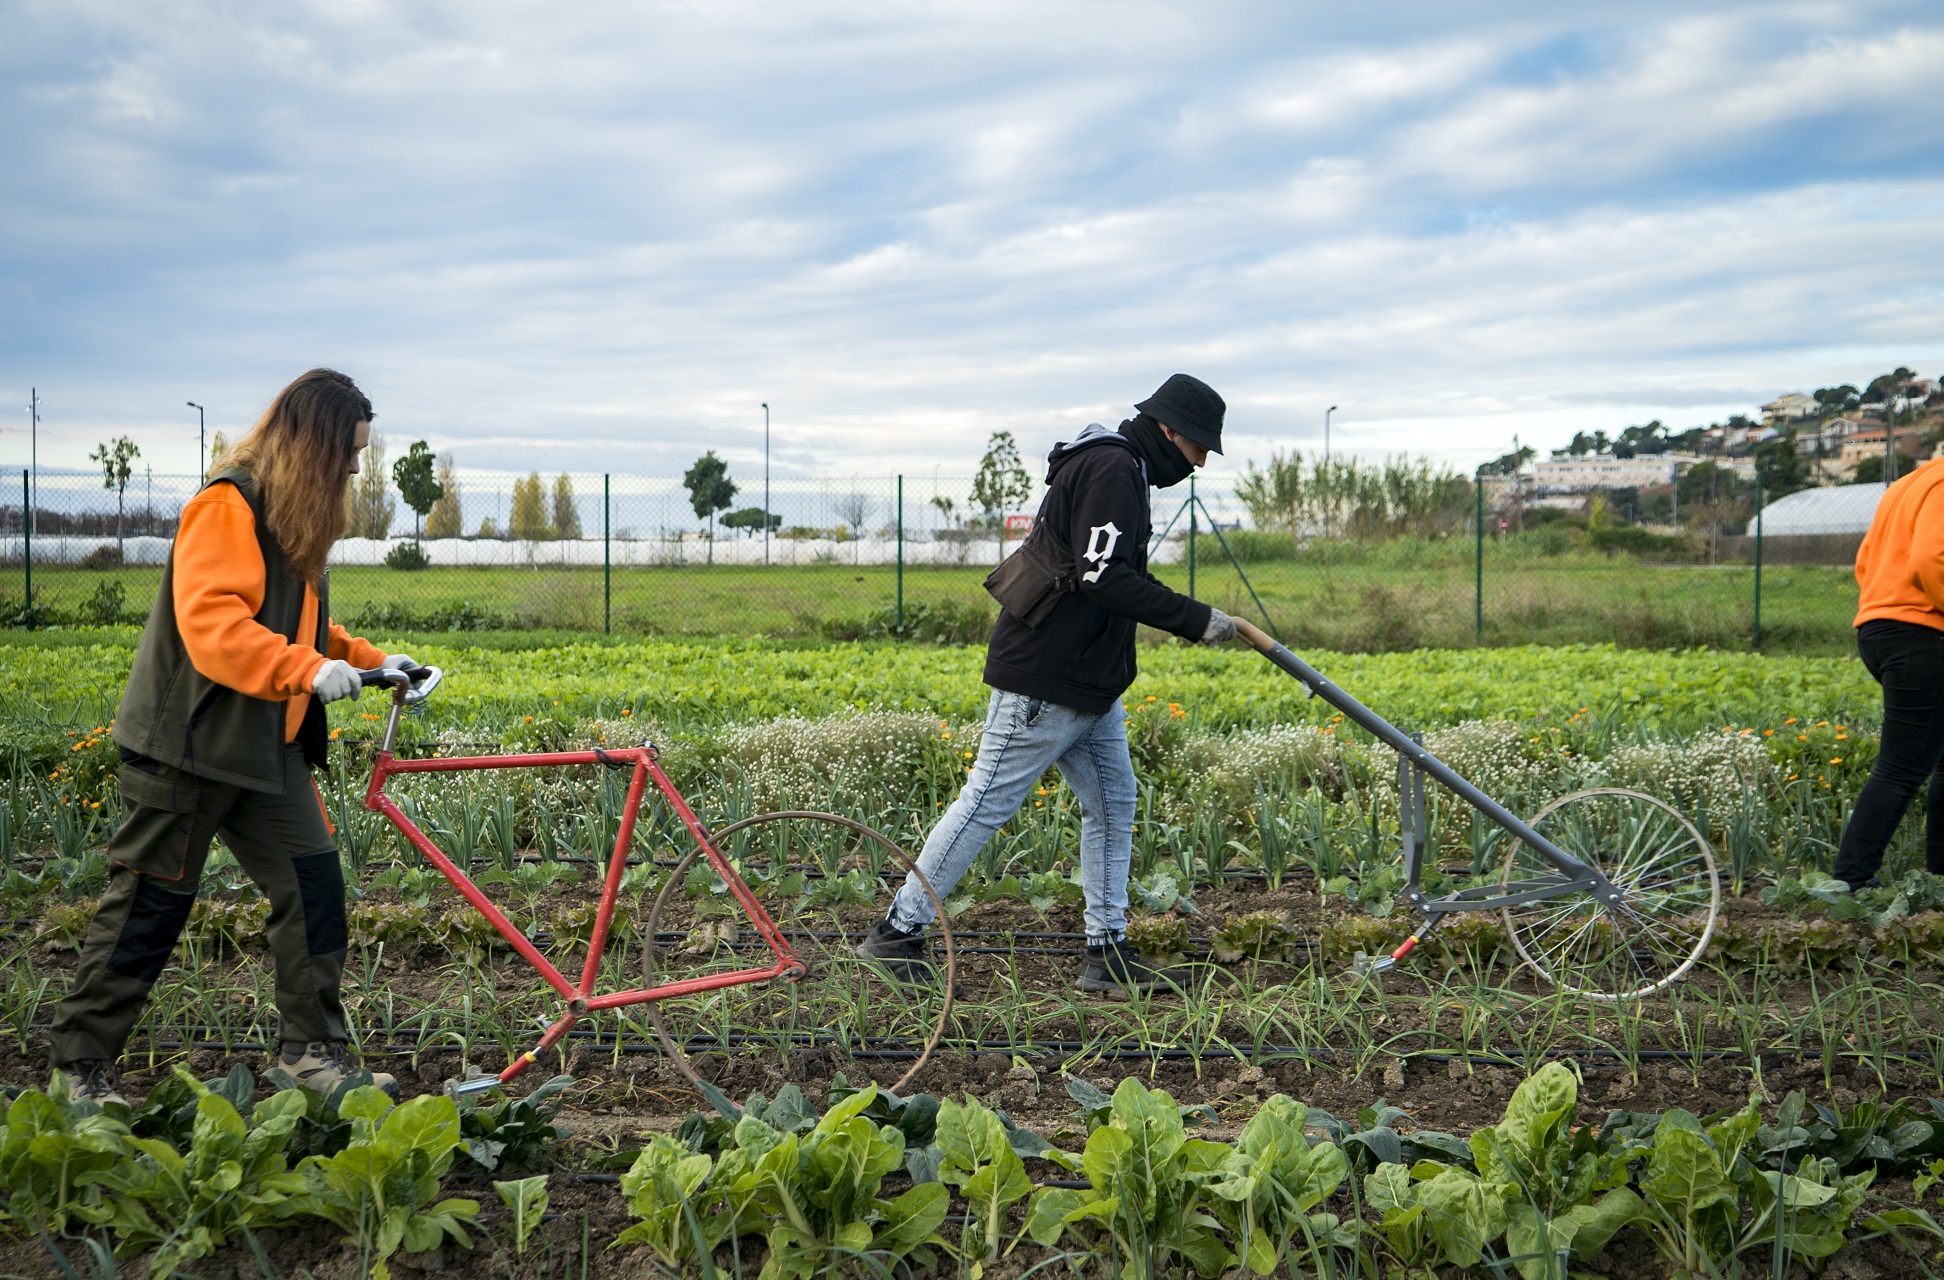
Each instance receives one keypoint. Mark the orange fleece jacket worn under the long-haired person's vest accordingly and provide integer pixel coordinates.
(219, 590)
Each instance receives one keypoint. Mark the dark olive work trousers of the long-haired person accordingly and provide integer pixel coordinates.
(156, 863)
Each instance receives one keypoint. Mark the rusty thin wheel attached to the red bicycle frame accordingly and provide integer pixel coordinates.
(823, 880)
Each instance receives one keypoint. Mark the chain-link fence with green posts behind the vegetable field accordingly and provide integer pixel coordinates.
(860, 557)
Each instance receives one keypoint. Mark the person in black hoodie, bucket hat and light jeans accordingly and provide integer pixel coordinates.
(1057, 686)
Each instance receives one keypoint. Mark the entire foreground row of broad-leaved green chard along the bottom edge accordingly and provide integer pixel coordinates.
(199, 1166)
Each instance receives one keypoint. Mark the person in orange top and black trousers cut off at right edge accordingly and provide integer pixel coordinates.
(1900, 637)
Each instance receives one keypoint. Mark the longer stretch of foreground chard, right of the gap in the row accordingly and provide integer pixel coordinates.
(1535, 1195)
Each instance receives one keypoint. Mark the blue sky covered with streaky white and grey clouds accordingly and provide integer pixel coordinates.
(602, 236)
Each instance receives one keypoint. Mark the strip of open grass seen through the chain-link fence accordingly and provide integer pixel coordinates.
(1371, 602)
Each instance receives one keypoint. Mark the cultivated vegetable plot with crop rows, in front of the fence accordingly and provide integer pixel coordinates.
(1265, 861)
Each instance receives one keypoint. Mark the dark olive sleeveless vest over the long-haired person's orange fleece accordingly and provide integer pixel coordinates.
(180, 717)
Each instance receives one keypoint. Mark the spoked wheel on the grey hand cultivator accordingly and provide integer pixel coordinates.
(1671, 898)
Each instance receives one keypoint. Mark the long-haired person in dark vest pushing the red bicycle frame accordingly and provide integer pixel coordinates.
(219, 730)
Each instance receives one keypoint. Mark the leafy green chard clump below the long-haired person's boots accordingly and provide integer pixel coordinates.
(199, 1166)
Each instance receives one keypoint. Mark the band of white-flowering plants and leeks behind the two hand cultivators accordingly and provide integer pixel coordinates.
(1313, 799)
